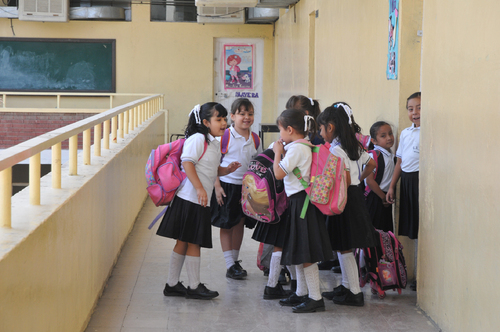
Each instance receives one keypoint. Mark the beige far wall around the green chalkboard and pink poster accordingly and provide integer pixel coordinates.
(175, 59)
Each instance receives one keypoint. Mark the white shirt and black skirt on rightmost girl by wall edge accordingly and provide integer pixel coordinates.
(409, 152)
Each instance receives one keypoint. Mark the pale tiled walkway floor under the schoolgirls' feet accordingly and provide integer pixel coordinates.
(133, 299)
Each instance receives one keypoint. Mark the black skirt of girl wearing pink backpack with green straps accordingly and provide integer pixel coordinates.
(353, 228)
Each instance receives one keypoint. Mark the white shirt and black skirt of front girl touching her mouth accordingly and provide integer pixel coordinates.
(306, 240)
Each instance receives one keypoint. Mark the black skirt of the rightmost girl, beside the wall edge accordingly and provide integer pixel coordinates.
(408, 207)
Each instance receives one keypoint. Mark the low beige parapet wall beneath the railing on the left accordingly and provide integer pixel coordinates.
(51, 280)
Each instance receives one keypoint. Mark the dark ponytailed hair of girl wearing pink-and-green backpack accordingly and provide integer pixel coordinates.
(344, 132)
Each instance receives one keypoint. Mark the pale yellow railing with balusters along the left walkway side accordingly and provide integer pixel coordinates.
(123, 119)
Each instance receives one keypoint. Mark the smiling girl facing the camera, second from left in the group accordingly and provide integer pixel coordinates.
(227, 214)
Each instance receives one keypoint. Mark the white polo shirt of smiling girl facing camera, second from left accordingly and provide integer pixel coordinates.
(241, 150)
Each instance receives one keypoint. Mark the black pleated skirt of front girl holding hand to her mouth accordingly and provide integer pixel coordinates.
(307, 239)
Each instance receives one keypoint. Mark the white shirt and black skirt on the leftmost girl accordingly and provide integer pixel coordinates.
(186, 220)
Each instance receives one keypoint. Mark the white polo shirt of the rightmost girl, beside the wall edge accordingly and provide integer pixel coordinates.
(409, 149)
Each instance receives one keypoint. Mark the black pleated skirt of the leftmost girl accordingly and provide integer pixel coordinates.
(188, 222)
